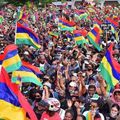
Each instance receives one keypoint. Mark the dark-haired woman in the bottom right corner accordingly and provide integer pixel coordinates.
(114, 113)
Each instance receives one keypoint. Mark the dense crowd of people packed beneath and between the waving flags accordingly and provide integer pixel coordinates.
(73, 88)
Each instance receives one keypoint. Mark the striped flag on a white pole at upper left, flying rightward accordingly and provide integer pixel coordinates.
(25, 35)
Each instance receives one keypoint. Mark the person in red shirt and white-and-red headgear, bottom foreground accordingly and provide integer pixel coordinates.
(52, 112)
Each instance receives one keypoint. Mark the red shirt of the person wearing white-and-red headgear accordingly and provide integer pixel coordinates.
(45, 116)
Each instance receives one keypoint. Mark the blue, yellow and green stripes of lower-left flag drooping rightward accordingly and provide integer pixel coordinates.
(26, 75)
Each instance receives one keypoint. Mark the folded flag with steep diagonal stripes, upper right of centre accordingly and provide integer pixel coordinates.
(94, 37)
